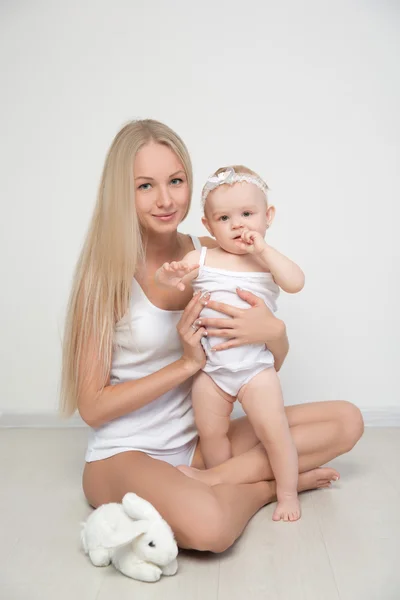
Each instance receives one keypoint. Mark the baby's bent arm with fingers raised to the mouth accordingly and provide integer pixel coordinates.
(285, 272)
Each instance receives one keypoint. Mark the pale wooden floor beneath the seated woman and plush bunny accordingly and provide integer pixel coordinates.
(346, 546)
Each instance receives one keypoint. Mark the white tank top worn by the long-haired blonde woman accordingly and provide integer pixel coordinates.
(145, 345)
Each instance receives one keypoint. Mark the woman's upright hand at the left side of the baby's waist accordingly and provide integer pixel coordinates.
(191, 334)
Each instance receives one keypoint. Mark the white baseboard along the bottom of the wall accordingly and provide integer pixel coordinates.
(373, 417)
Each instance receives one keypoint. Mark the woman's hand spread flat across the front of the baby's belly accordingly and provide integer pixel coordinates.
(253, 325)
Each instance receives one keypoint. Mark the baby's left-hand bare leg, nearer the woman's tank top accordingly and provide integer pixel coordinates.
(212, 409)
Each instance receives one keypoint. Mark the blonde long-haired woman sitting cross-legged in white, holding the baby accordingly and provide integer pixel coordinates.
(132, 349)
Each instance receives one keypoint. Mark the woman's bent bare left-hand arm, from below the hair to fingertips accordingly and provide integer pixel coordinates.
(98, 405)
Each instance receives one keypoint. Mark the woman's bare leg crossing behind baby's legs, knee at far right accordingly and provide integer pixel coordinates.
(321, 431)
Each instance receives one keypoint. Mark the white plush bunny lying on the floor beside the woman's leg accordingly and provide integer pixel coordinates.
(133, 537)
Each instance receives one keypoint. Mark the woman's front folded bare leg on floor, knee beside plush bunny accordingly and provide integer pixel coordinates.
(202, 517)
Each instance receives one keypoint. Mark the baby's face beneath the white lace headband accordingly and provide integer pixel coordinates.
(231, 208)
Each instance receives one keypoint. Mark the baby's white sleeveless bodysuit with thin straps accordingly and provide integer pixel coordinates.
(233, 368)
